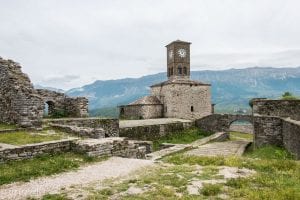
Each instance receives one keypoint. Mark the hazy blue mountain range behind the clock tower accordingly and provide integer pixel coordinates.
(231, 89)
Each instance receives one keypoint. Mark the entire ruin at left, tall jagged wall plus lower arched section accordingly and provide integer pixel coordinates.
(21, 104)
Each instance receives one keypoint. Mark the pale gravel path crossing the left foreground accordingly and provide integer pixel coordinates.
(112, 168)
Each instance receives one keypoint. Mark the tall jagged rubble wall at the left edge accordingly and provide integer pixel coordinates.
(19, 102)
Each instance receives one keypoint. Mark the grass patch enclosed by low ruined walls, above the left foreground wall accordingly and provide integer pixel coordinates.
(26, 137)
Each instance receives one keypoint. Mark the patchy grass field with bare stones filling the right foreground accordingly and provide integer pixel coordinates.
(276, 177)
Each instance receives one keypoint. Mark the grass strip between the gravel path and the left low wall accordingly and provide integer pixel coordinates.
(42, 166)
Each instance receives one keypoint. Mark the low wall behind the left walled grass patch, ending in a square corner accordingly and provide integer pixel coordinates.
(110, 126)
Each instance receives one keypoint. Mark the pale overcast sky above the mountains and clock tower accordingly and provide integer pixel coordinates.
(68, 43)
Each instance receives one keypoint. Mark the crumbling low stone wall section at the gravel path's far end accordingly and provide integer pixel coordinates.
(114, 146)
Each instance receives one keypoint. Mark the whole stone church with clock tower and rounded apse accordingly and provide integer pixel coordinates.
(178, 97)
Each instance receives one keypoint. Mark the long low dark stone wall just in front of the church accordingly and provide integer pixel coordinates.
(152, 132)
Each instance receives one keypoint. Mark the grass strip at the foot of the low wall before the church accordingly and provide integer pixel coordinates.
(181, 137)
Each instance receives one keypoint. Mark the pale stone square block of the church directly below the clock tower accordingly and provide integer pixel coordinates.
(186, 101)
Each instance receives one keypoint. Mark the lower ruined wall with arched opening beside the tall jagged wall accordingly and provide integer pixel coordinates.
(59, 102)
